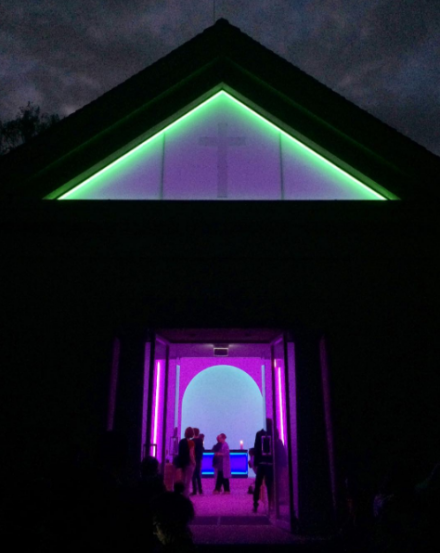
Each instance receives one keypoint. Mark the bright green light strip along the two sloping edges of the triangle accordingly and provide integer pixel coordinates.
(249, 110)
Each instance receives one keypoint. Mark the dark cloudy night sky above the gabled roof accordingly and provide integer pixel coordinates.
(384, 55)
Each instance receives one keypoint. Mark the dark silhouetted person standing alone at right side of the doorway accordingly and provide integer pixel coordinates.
(263, 462)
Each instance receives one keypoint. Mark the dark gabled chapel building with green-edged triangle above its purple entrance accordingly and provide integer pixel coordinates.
(224, 197)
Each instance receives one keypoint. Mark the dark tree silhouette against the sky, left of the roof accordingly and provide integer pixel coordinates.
(28, 123)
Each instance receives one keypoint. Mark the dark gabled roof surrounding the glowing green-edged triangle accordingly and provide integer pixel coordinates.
(222, 57)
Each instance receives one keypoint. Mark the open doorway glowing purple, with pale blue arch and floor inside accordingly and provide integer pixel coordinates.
(236, 382)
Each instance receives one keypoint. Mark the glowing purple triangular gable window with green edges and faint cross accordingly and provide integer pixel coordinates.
(222, 150)
